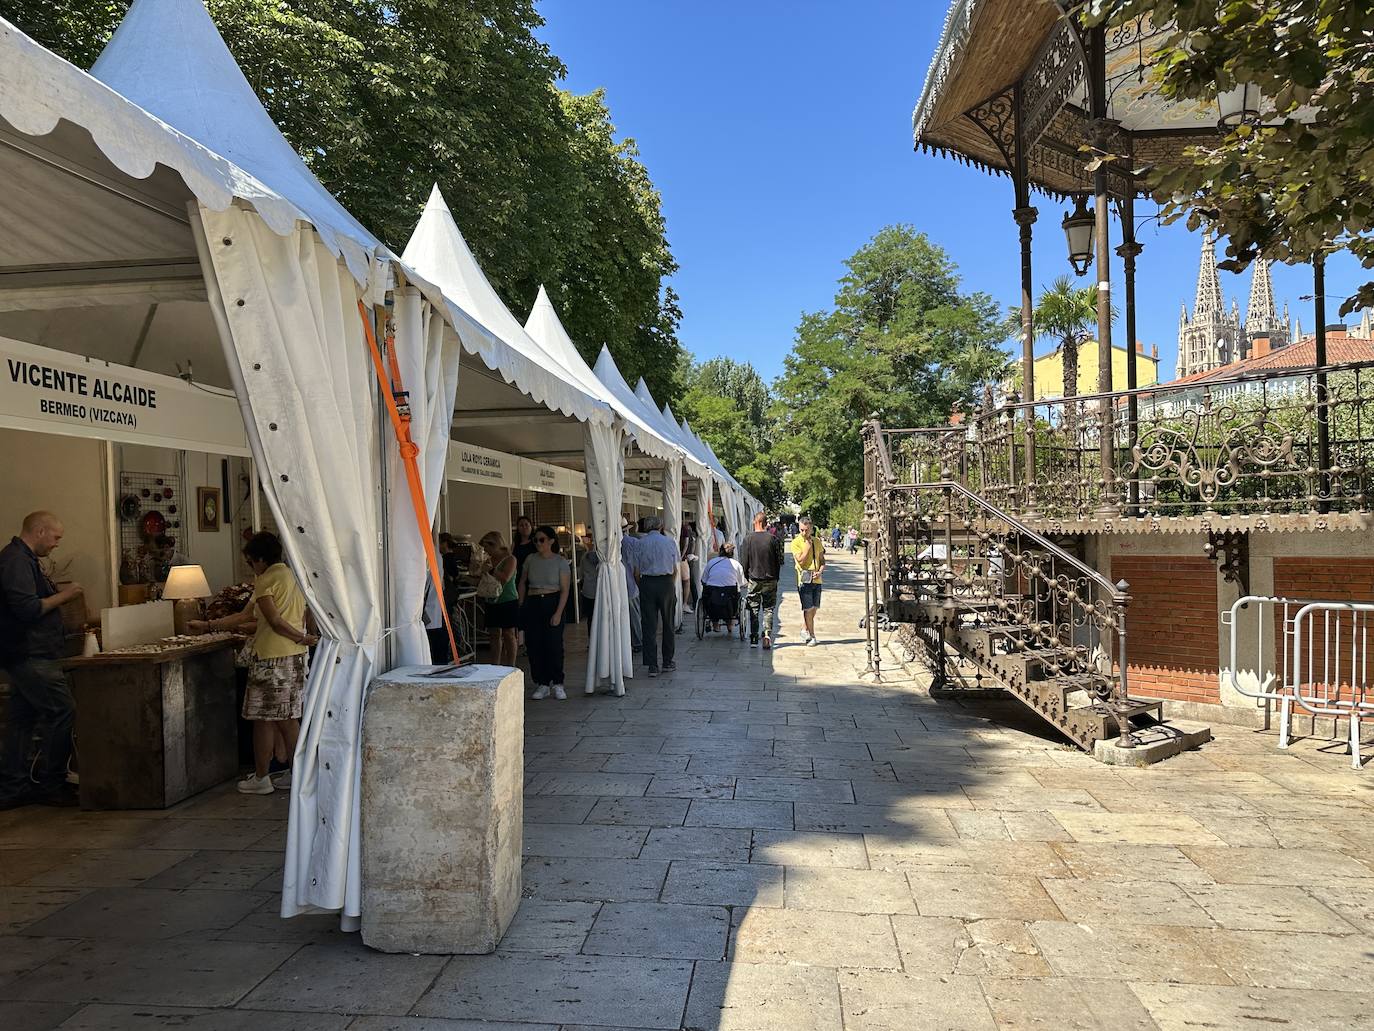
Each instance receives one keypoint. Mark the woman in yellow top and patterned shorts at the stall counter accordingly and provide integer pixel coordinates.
(281, 643)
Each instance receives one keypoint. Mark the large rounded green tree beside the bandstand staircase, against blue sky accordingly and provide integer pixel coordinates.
(902, 342)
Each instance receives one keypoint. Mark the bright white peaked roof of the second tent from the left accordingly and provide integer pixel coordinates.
(439, 252)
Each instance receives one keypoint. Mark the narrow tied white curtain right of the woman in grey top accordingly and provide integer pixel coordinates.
(608, 647)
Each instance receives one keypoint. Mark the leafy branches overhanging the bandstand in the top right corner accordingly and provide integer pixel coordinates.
(1303, 182)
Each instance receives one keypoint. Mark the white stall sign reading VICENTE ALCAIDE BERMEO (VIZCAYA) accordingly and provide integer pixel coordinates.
(54, 392)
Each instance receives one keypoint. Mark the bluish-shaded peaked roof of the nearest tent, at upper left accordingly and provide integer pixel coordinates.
(197, 89)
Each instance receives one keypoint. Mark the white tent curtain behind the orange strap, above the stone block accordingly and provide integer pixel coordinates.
(428, 355)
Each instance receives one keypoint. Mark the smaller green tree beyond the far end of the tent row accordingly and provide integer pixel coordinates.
(730, 408)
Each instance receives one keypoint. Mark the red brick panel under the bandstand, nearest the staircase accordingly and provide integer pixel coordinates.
(1171, 626)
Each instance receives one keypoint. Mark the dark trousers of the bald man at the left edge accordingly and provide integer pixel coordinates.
(39, 700)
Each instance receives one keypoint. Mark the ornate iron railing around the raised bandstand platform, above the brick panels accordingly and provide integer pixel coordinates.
(1274, 445)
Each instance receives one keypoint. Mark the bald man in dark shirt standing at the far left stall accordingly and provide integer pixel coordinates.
(31, 648)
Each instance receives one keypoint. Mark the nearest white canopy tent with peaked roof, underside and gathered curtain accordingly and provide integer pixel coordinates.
(194, 203)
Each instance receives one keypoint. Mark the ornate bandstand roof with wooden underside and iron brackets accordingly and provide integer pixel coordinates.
(1012, 74)
